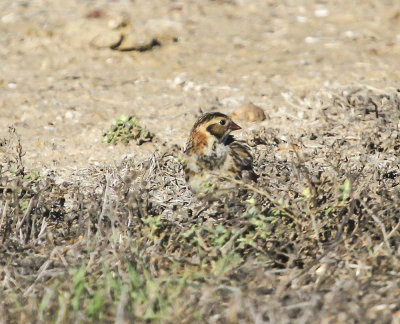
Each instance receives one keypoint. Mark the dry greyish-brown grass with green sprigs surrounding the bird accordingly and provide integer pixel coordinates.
(316, 240)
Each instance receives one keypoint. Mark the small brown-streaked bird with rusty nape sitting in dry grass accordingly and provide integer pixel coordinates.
(212, 156)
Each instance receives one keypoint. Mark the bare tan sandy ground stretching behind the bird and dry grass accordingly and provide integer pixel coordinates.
(61, 85)
